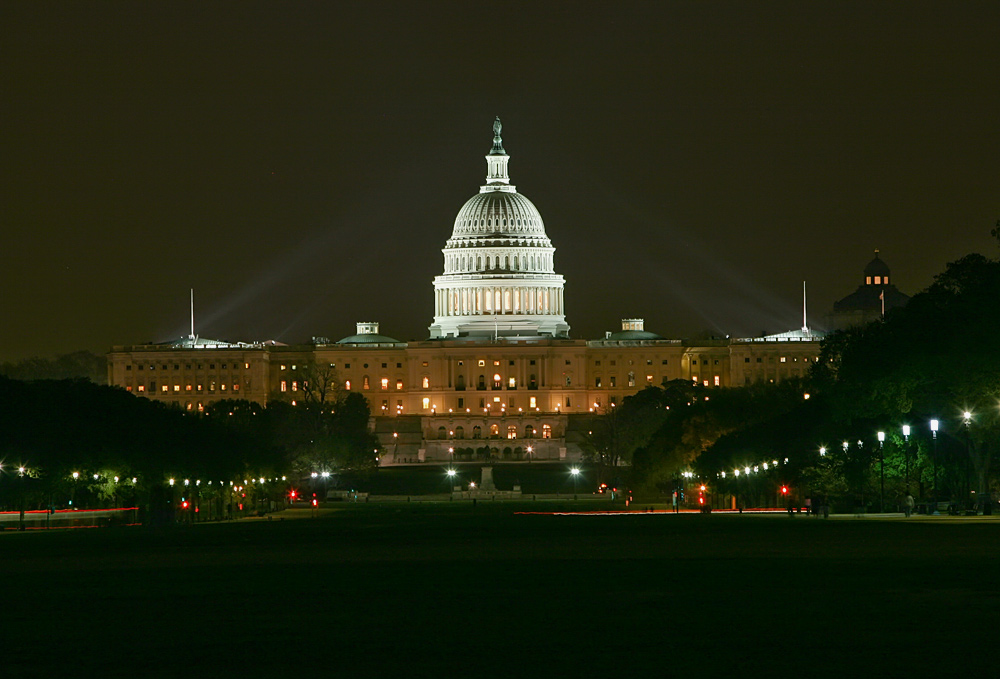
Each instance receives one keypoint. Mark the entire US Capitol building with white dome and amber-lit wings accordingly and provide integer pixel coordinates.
(499, 369)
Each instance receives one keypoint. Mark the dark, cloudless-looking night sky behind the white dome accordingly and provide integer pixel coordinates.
(301, 164)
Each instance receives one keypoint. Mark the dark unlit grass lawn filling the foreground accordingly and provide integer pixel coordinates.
(423, 590)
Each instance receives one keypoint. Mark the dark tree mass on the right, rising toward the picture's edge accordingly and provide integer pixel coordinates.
(937, 358)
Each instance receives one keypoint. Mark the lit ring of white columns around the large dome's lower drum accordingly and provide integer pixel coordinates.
(498, 300)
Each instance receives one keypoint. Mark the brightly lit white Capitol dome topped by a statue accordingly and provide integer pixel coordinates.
(498, 265)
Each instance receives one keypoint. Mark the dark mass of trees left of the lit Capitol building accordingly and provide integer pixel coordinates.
(56, 429)
